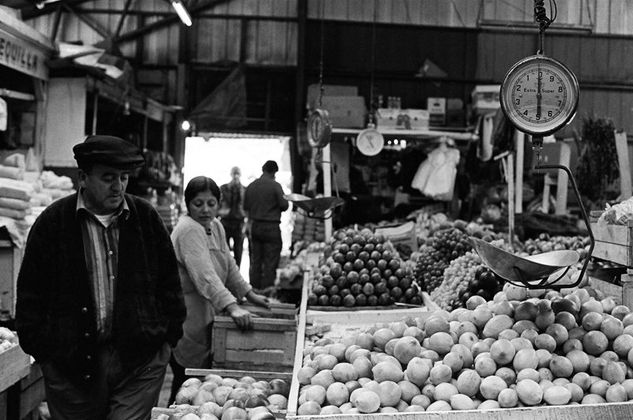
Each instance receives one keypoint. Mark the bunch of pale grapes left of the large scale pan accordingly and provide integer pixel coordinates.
(457, 276)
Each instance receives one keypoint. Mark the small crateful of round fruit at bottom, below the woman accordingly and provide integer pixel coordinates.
(215, 397)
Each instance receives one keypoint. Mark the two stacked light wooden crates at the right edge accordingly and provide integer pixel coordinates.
(614, 243)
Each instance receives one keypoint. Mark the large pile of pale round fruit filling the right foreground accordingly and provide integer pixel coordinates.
(521, 349)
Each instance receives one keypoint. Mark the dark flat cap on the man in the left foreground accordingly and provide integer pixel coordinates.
(108, 150)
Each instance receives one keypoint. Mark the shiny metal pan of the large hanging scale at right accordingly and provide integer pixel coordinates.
(521, 269)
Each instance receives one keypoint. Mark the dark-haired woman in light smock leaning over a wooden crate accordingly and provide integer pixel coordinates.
(210, 278)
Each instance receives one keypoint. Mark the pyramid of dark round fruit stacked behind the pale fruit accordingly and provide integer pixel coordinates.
(362, 269)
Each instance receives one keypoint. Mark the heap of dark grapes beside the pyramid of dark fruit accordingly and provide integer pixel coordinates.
(439, 250)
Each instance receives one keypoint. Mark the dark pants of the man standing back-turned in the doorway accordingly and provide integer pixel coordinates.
(264, 249)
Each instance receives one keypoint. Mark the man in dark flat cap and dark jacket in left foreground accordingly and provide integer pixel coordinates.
(99, 301)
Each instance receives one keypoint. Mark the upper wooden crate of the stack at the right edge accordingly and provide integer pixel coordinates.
(613, 242)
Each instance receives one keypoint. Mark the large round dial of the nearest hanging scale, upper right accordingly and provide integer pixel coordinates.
(539, 95)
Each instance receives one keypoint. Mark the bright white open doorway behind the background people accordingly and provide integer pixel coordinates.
(216, 153)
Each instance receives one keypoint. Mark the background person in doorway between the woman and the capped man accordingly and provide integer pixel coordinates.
(232, 213)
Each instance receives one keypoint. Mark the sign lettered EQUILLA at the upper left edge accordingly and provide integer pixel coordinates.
(22, 56)
